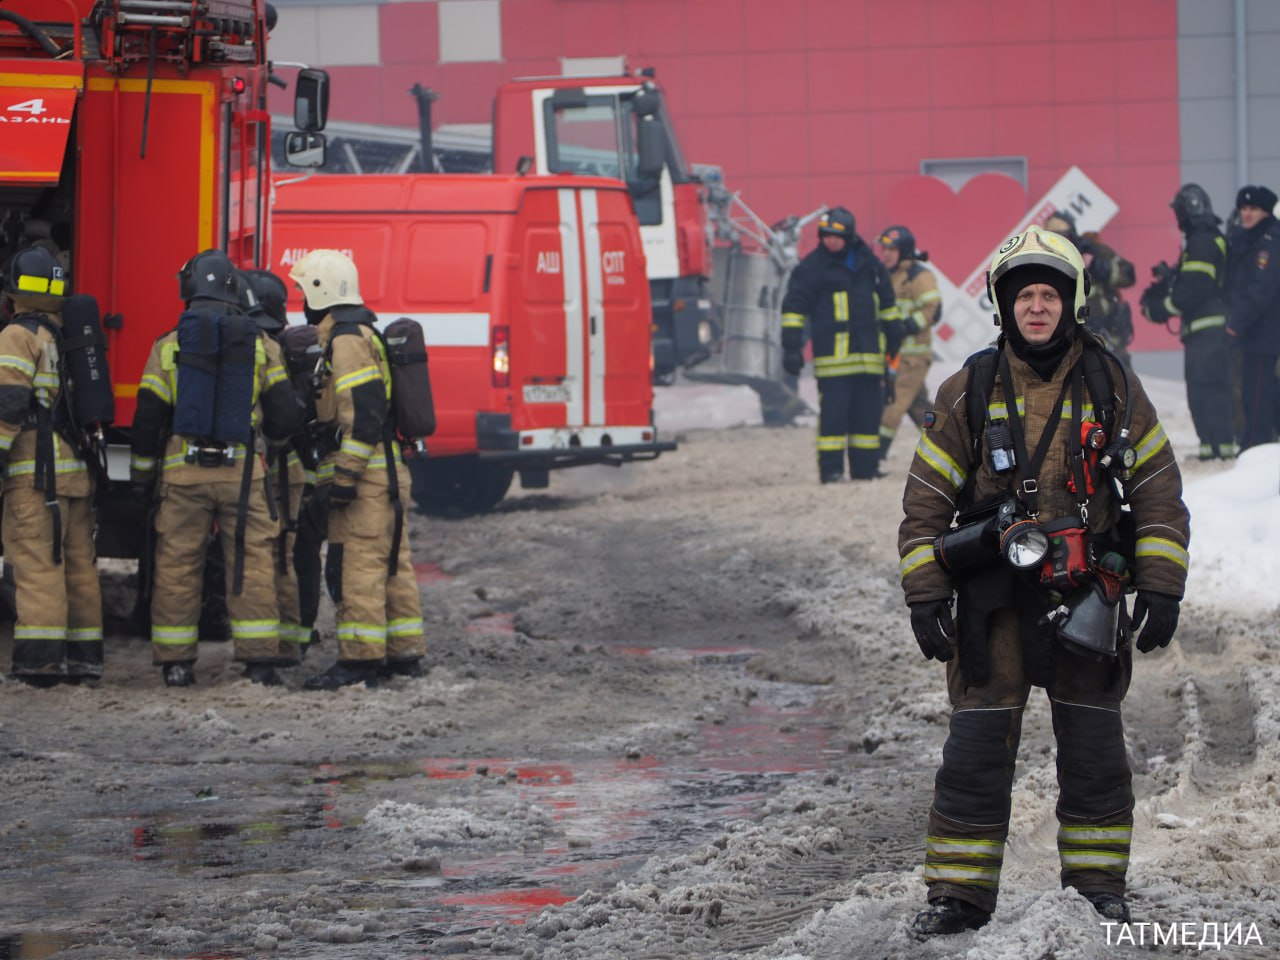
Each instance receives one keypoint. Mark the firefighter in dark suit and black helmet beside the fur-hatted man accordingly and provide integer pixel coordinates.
(1195, 292)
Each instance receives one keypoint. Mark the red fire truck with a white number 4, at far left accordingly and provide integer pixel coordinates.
(136, 134)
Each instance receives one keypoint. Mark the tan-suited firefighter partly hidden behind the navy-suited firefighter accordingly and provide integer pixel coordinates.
(921, 307)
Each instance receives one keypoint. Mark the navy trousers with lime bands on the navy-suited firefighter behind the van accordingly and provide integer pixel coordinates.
(849, 418)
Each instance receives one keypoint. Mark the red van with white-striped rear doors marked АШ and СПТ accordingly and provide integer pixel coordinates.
(534, 304)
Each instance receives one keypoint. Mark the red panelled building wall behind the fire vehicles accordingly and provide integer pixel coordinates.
(838, 102)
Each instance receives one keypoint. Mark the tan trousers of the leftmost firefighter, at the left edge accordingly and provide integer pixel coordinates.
(60, 625)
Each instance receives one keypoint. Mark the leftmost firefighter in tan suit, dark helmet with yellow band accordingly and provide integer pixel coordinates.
(48, 487)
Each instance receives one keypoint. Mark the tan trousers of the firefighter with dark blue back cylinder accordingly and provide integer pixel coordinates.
(185, 516)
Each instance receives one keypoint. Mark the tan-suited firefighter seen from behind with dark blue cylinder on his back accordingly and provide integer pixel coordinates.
(213, 392)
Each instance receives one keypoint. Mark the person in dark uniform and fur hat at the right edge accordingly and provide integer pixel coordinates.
(1254, 326)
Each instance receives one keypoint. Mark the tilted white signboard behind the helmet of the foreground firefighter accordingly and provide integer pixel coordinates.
(968, 313)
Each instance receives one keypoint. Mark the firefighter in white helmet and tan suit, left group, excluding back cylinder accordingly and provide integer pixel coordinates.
(368, 568)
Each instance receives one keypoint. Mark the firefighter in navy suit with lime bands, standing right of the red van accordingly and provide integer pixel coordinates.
(843, 292)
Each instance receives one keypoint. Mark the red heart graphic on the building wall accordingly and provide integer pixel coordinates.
(961, 230)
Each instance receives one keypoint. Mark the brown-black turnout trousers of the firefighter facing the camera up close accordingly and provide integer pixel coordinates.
(970, 819)
